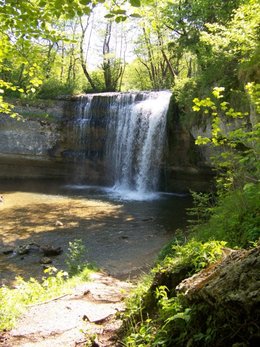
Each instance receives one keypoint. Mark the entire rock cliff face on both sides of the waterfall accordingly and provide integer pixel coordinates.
(47, 145)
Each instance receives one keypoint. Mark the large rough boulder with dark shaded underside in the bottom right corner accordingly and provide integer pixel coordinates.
(225, 300)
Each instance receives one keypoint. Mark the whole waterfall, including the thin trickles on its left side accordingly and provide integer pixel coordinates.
(127, 132)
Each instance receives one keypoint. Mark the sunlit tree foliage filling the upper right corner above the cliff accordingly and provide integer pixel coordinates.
(223, 42)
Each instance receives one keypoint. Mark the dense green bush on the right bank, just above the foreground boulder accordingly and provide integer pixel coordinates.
(235, 218)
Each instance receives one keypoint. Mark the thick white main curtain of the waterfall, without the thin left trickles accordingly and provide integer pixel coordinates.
(136, 144)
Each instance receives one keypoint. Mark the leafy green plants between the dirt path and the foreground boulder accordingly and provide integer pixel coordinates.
(169, 317)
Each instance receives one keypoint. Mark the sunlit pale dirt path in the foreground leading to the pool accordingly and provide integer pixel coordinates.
(72, 320)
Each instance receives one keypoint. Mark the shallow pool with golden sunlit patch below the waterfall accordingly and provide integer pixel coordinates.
(122, 234)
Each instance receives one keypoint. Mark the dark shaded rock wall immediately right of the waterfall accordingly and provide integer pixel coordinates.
(186, 166)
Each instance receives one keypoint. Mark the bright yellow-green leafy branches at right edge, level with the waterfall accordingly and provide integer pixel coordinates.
(239, 143)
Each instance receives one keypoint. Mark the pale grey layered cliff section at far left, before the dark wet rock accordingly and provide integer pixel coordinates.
(26, 146)
